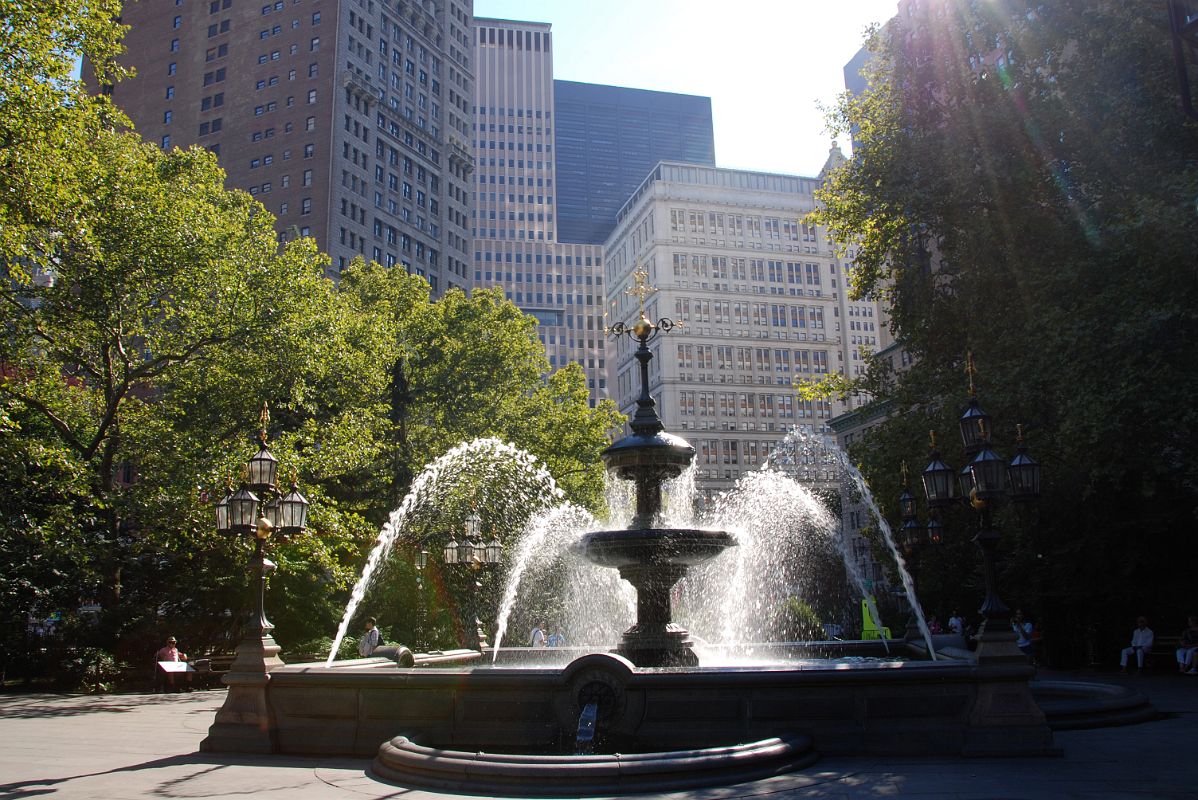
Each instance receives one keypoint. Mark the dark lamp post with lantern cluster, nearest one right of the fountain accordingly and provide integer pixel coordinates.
(990, 482)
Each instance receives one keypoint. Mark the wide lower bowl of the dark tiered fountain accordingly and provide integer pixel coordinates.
(673, 547)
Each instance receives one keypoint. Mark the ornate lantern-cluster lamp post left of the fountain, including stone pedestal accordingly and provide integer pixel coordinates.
(258, 508)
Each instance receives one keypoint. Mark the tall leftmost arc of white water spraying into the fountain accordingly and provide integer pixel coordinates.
(476, 466)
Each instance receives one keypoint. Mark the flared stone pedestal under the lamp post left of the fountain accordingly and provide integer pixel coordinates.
(244, 725)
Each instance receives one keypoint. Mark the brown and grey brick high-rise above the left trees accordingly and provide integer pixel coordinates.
(348, 120)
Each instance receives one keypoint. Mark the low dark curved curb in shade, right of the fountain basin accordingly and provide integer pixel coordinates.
(1076, 705)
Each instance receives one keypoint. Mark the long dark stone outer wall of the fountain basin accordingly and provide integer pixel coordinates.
(899, 708)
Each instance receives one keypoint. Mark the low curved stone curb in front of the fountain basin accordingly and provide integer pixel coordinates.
(404, 762)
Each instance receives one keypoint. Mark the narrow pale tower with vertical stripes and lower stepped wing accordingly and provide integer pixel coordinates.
(515, 225)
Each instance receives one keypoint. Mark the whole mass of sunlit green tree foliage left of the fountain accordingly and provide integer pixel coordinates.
(148, 313)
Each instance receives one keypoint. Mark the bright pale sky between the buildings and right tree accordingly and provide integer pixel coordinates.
(767, 65)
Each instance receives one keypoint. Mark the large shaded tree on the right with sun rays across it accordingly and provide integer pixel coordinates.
(1022, 186)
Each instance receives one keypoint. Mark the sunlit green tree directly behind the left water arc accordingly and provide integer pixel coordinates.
(467, 368)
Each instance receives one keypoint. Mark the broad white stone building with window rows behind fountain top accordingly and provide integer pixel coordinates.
(763, 300)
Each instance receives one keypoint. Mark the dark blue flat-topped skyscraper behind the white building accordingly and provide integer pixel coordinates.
(609, 138)
